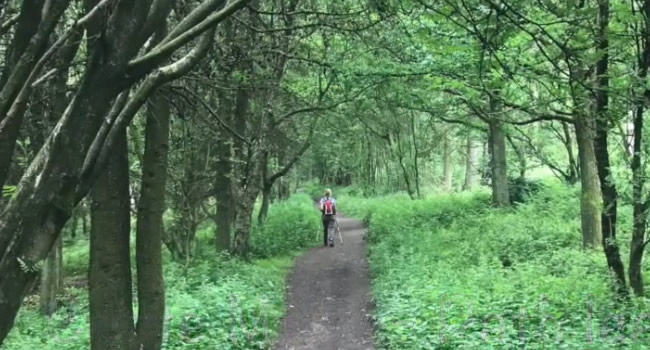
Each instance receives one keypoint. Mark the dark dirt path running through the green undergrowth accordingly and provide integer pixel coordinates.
(329, 297)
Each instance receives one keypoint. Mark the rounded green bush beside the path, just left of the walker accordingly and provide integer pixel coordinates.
(290, 225)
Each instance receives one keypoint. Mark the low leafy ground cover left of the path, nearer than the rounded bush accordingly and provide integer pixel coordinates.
(215, 304)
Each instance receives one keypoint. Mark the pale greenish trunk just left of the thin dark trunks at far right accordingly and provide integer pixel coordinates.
(591, 198)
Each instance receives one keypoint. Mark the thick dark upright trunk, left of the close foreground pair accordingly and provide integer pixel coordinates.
(110, 296)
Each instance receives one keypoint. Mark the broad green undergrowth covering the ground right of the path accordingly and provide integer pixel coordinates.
(451, 273)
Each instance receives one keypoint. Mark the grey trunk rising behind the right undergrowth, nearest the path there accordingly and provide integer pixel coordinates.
(498, 165)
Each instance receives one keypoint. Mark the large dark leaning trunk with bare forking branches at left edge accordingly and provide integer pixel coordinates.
(61, 173)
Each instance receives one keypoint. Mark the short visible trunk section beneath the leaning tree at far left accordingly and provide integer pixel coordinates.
(51, 279)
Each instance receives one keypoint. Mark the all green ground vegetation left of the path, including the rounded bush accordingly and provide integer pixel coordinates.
(216, 303)
